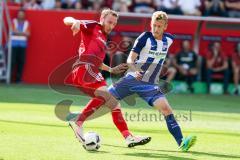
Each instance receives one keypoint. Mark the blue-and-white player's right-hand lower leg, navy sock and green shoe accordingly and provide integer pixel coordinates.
(162, 105)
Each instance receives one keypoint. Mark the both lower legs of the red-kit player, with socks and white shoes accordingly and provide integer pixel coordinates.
(109, 101)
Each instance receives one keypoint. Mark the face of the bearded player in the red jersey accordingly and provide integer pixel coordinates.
(109, 22)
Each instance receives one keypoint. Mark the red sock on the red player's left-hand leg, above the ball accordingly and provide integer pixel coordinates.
(89, 109)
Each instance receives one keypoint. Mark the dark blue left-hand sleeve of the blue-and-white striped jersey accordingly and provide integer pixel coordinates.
(140, 42)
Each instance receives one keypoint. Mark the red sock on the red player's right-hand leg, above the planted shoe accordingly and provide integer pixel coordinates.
(120, 122)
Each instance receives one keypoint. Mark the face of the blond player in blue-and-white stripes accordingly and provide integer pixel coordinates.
(158, 27)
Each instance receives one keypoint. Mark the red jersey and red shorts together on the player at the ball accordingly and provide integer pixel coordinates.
(85, 74)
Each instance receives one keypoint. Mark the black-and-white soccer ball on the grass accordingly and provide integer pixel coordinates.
(92, 141)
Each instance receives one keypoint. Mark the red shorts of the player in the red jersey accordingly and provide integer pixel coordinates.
(86, 78)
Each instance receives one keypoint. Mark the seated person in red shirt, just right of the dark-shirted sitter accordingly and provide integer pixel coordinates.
(217, 63)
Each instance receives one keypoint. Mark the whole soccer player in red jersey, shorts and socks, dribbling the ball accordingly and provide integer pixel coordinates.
(88, 79)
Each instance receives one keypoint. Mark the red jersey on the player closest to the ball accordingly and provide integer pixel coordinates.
(93, 43)
